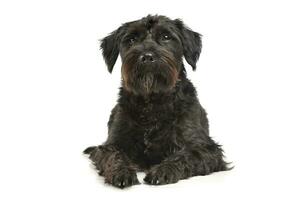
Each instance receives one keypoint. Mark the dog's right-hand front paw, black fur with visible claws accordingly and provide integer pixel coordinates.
(162, 174)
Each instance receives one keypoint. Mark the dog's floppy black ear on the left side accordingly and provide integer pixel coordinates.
(110, 48)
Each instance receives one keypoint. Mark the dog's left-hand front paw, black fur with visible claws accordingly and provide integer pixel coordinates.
(123, 178)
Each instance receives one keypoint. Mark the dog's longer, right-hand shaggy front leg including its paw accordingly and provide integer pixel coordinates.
(185, 163)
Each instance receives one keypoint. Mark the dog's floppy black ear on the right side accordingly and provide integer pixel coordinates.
(191, 41)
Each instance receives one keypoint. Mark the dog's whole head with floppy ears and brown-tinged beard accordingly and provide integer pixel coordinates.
(151, 51)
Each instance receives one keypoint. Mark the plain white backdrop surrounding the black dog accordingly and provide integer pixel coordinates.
(56, 96)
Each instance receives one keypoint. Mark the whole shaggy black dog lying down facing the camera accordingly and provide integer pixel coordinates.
(158, 125)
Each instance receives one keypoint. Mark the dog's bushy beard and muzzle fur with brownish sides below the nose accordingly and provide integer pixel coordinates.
(158, 77)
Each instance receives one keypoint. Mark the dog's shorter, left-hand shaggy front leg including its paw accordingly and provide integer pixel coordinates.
(113, 165)
